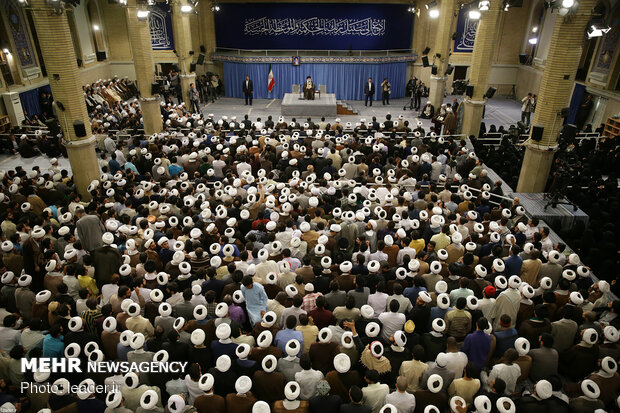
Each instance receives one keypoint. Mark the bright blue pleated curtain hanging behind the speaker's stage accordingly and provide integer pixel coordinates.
(346, 80)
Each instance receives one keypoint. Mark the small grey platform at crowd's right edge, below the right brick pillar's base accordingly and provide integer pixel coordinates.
(534, 203)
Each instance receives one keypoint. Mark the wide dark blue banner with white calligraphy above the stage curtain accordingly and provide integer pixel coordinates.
(305, 26)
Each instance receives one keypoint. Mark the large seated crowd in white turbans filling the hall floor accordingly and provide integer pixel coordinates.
(295, 268)
